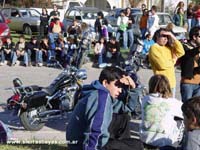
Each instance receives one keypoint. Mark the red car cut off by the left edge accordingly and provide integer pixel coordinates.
(4, 29)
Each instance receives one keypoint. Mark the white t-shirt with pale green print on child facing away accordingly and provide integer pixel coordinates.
(158, 127)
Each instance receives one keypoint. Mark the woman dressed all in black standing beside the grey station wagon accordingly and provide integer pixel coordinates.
(44, 18)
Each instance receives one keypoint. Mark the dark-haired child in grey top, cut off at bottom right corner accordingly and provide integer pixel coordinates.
(191, 113)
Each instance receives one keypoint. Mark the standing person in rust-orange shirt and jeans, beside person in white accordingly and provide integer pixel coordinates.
(143, 23)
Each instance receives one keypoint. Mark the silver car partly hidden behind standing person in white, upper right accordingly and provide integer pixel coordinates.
(164, 20)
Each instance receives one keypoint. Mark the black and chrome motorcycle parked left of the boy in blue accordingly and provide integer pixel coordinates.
(35, 105)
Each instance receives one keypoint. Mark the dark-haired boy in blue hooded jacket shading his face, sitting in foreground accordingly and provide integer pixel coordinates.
(92, 125)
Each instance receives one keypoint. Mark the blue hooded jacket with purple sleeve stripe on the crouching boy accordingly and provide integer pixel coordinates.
(89, 122)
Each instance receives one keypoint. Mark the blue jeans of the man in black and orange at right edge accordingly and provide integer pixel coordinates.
(189, 90)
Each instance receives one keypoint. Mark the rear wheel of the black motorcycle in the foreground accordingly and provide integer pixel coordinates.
(30, 119)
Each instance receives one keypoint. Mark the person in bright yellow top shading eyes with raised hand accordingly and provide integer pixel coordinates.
(164, 54)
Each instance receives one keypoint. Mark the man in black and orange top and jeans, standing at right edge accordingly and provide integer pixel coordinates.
(190, 70)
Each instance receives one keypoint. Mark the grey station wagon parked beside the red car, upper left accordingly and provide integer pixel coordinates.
(22, 19)
